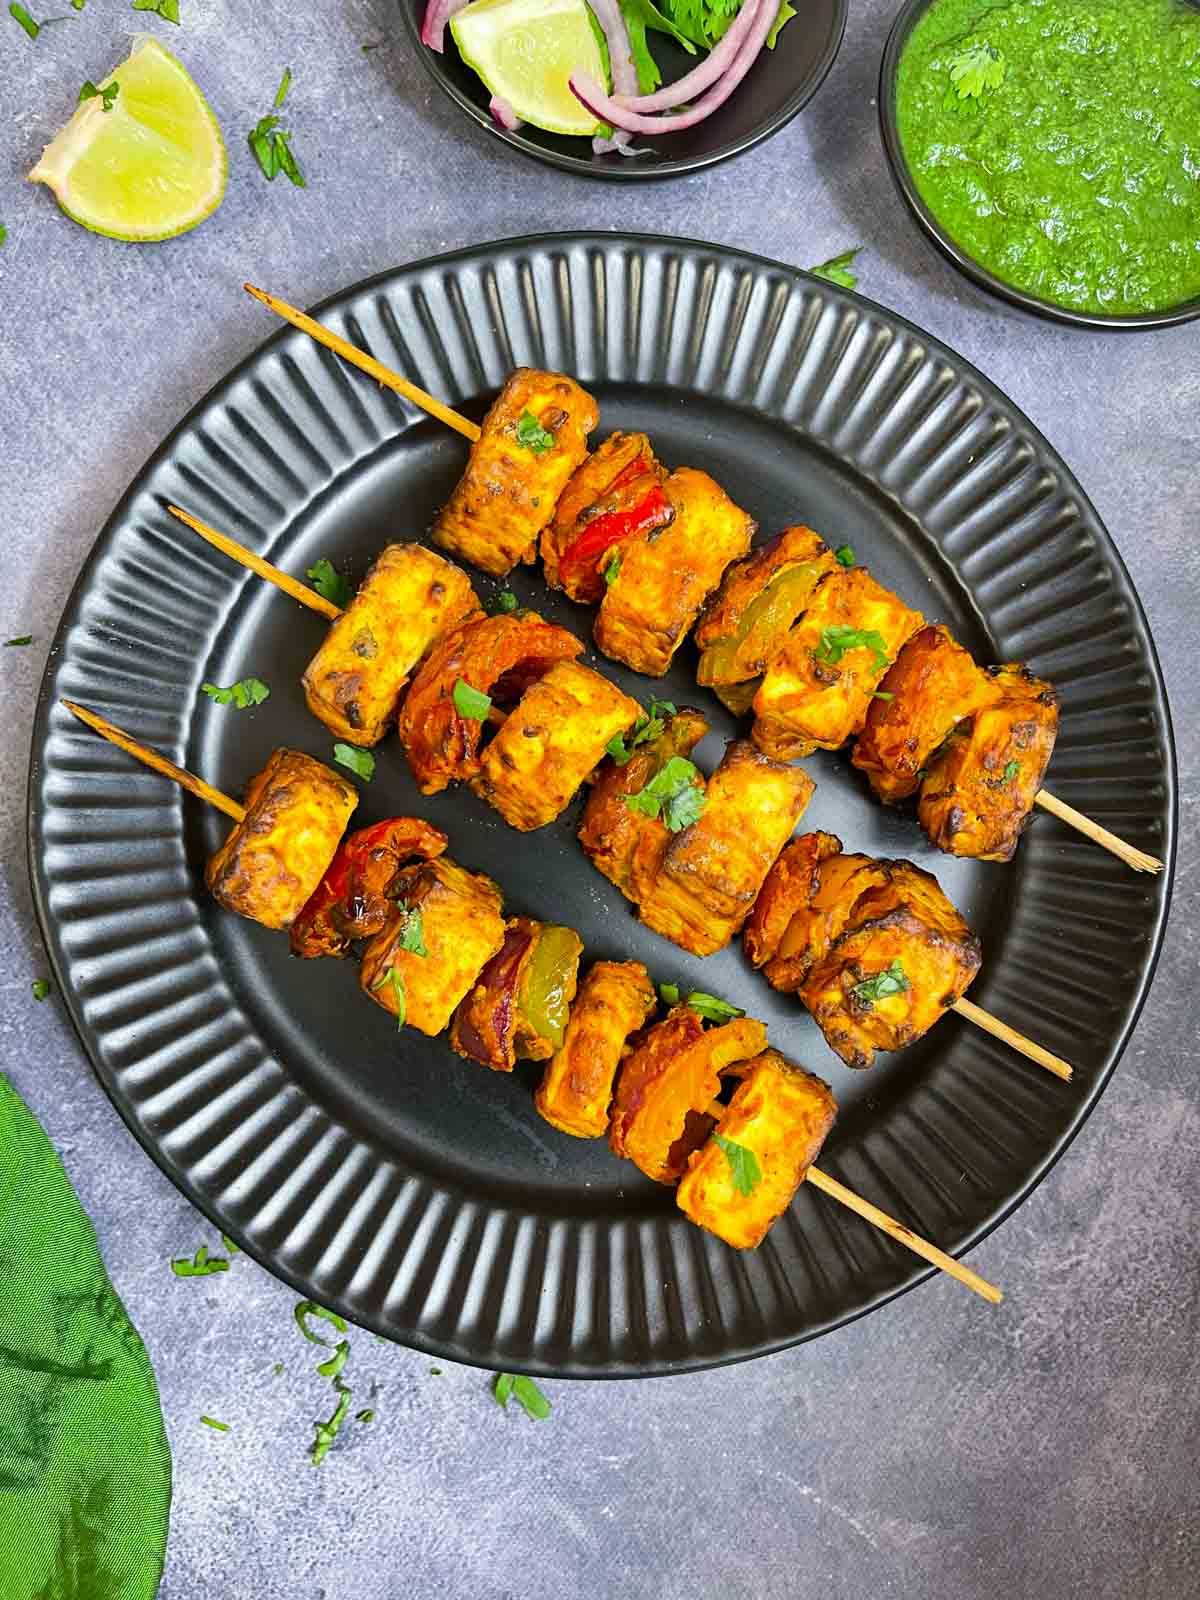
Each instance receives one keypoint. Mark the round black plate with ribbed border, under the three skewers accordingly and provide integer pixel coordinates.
(375, 1170)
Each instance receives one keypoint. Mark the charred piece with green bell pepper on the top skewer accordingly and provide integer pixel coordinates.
(756, 606)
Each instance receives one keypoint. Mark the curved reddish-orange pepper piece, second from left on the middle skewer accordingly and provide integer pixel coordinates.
(497, 655)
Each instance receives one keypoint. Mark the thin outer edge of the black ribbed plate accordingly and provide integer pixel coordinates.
(657, 1366)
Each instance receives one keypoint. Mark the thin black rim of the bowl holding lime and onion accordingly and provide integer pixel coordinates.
(630, 170)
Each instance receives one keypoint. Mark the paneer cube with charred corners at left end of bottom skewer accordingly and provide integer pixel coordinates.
(276, 857)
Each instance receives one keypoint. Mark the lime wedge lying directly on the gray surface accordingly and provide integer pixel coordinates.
(150, 169)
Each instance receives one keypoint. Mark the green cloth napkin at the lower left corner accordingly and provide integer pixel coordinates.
(86, 1470)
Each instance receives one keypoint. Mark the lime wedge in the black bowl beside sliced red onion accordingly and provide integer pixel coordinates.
(526, 50)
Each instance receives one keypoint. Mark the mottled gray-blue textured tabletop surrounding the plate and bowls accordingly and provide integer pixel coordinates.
(938, 1449)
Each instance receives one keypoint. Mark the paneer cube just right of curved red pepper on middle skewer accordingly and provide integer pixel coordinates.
(551, 742)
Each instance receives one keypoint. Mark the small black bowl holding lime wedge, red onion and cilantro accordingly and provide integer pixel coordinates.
(777, 87)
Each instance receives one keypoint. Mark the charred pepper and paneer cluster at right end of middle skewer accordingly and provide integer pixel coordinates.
(874, 950)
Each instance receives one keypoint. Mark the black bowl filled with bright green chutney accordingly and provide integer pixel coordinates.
(1052, 150)
